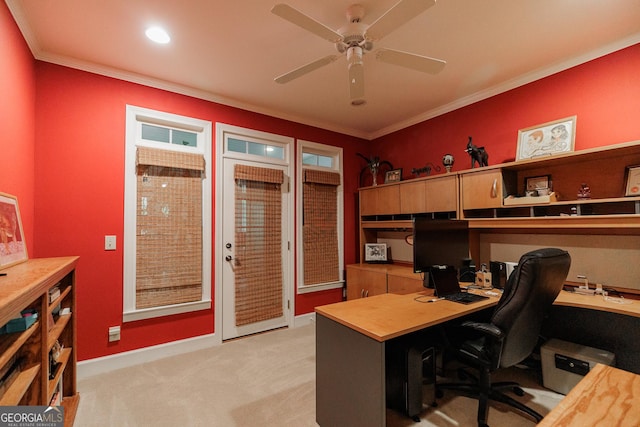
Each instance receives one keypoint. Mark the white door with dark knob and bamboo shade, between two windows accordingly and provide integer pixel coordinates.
(254, 247)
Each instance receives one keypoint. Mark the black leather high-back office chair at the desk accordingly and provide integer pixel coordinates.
(512, 333)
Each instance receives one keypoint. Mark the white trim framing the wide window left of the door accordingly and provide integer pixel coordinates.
(135, 117)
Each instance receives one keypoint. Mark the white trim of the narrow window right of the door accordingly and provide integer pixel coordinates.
(336, 153)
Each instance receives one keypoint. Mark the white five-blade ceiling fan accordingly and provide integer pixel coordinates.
(357, 38)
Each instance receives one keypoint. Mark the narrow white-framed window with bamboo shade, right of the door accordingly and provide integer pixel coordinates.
(320, 217)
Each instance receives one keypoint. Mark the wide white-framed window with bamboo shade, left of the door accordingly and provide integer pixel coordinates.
(167, 235)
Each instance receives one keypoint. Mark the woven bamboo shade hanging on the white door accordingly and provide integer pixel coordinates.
(258, 236)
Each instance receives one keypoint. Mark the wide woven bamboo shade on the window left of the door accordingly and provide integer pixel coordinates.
(168, 228)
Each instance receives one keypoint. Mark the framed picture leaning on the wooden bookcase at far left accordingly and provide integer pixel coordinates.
(13, 248)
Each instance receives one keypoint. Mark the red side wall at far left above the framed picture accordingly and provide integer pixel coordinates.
(17, 118)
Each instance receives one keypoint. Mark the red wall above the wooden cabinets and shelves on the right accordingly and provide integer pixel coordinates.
(604, 94)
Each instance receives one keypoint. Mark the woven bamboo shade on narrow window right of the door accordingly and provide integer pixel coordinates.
(320, 210)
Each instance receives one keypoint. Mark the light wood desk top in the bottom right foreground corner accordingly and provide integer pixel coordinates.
(606, 396)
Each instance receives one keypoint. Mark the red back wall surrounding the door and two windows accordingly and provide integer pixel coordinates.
(80, 141)
